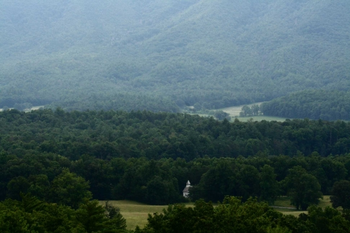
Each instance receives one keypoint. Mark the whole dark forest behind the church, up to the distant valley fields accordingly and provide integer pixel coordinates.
(149, 157)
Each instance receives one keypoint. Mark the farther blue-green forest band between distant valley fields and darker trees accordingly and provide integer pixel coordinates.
(111, 134)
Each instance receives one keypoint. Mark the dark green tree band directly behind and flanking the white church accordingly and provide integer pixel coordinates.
(303, 179)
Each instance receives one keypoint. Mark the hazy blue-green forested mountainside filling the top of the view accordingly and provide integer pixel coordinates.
(173, 53)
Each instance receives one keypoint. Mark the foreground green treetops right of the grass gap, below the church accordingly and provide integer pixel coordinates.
(251, 216)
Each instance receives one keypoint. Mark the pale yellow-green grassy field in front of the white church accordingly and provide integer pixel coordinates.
(136, 213)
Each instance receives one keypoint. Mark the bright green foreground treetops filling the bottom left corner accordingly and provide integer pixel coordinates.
(32, 215)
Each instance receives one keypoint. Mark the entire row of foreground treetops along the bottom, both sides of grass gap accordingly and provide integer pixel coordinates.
(231, 215)
